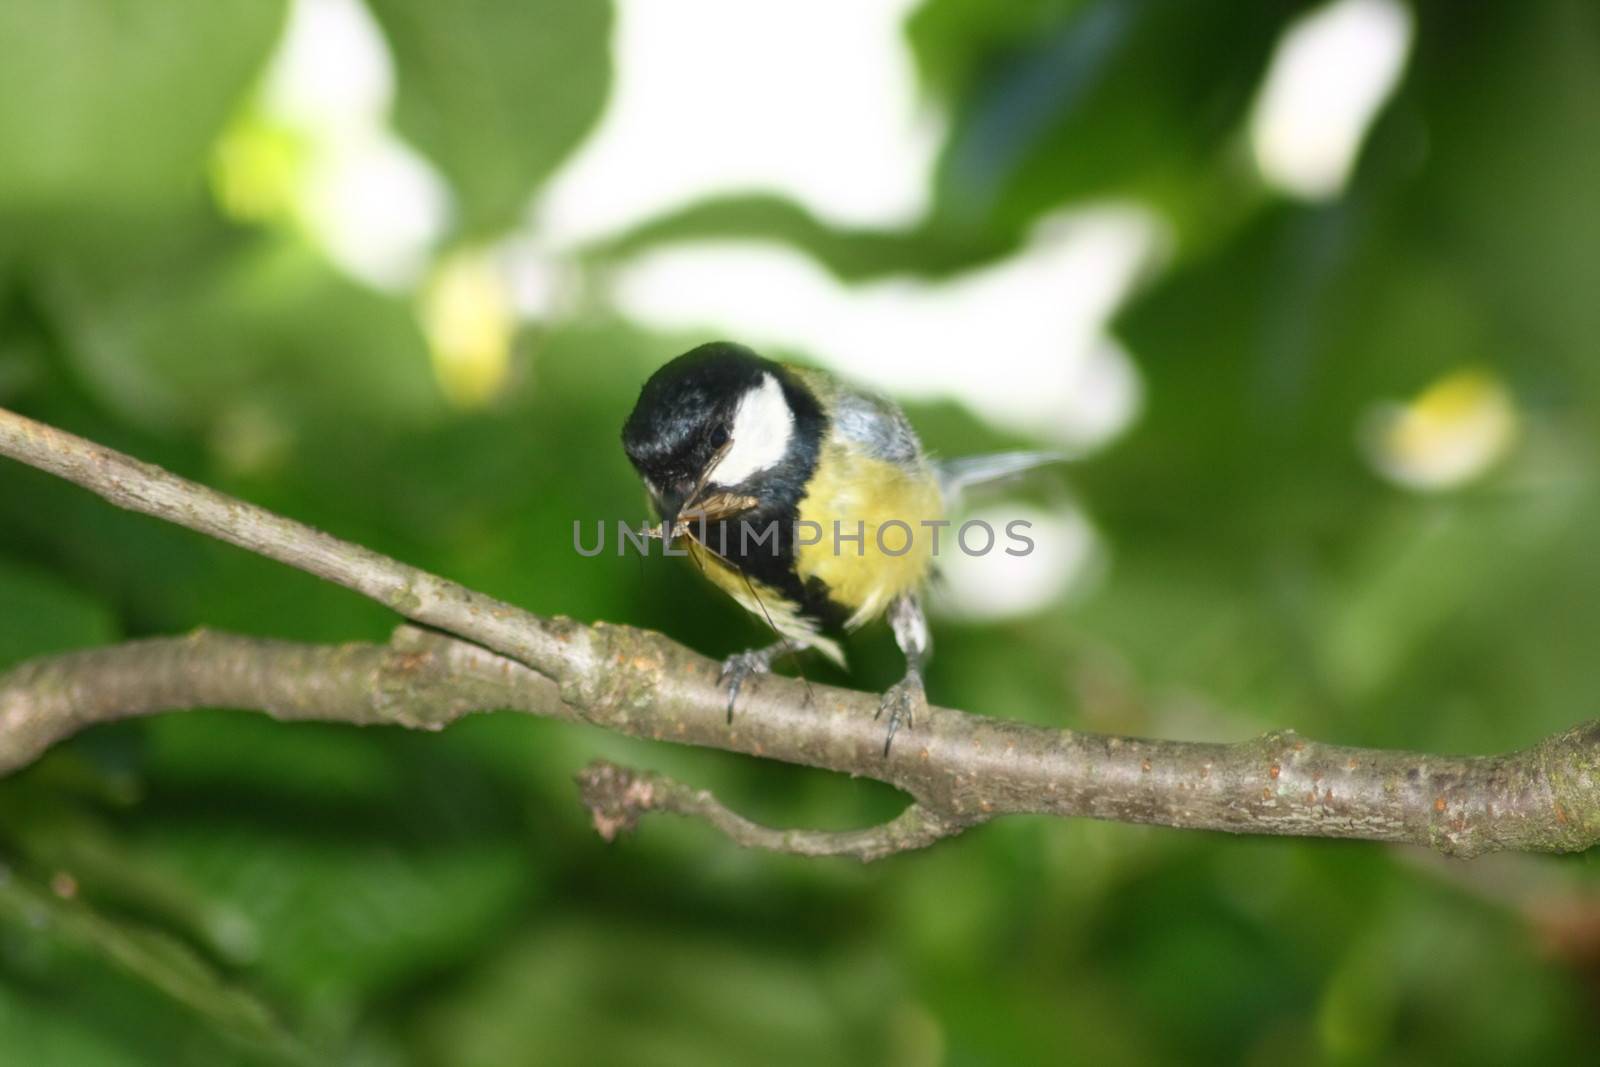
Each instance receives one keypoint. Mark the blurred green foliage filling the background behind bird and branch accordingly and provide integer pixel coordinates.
(220, 889)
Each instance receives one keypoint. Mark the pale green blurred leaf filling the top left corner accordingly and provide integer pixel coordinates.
(113, 105)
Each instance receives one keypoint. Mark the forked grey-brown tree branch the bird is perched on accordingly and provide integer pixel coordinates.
(959, 769)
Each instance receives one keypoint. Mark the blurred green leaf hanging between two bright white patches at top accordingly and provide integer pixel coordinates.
(498, 92)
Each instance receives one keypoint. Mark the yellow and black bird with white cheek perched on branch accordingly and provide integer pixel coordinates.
(810, 503)
